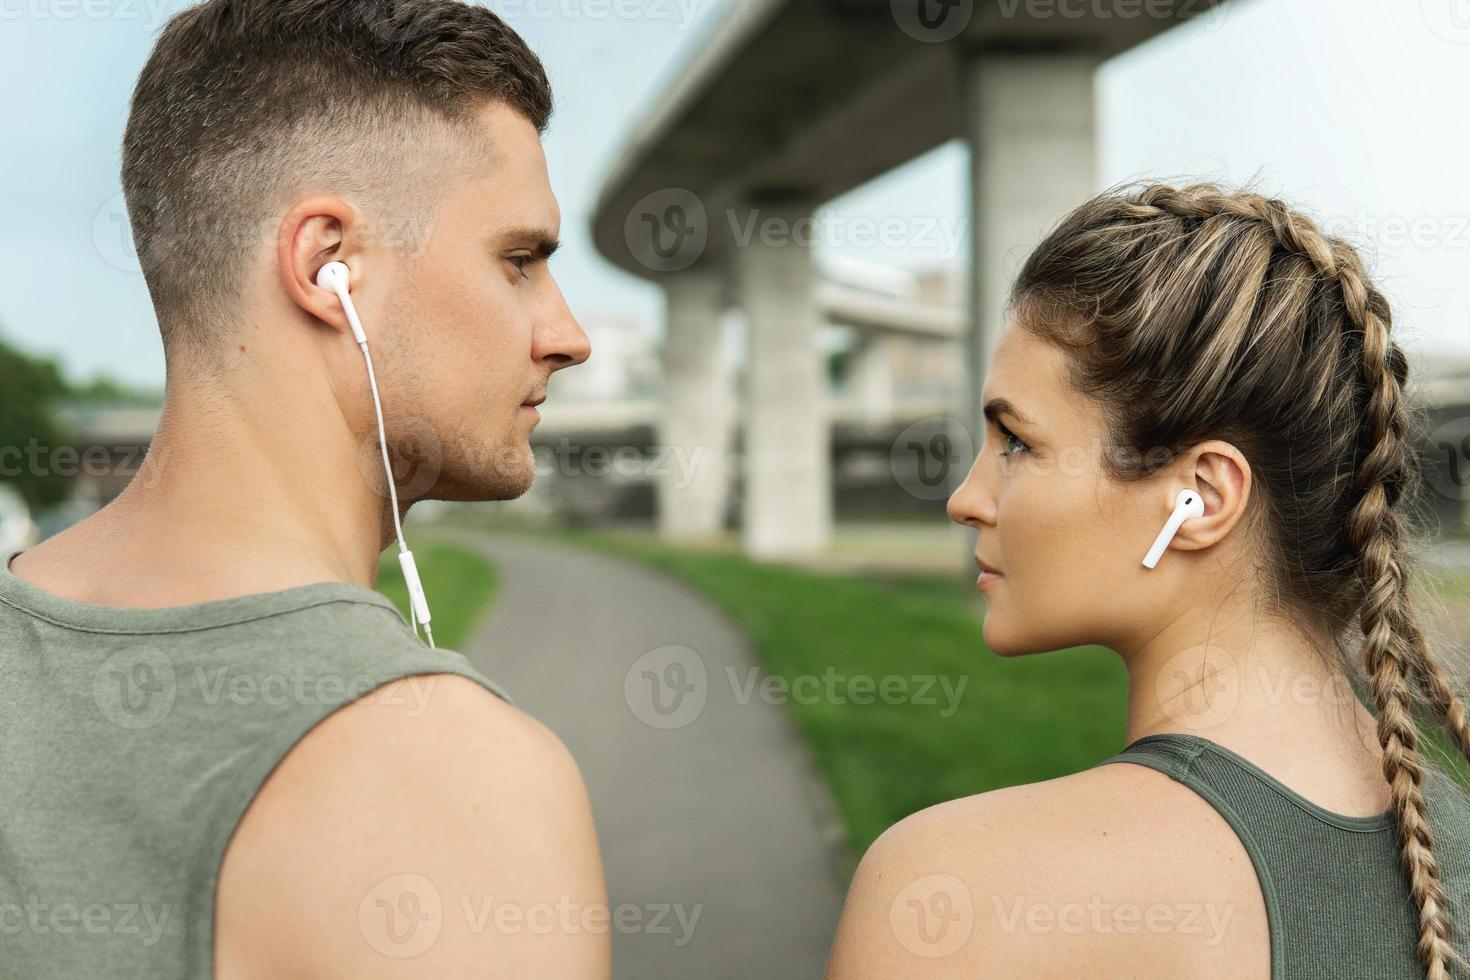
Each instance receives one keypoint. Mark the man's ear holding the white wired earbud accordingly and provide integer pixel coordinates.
(314, 233)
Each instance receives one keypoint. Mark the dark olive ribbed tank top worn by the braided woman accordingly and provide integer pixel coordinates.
(1337, 900)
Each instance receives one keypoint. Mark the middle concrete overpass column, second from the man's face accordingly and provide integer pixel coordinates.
(789, 480)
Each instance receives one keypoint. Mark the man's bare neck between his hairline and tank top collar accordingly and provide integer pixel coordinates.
(237, 497)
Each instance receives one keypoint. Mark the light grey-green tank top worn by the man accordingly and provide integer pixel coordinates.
(132, 744)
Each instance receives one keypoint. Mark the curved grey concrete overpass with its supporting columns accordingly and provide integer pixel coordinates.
(790, 104)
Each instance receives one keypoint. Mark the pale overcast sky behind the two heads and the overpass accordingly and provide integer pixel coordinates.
(1352, 108)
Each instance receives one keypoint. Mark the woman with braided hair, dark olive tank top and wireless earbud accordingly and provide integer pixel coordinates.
(1263, 822)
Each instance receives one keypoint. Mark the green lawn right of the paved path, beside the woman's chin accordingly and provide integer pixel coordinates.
(1014, 722)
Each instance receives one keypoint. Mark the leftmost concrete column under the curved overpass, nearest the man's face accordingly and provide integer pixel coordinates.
(699, 408)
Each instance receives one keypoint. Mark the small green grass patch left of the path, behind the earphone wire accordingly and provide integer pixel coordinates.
(461, 586)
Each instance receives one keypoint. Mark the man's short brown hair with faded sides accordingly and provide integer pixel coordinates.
(245, 104)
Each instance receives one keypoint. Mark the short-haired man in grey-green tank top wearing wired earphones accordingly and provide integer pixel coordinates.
(224, 753)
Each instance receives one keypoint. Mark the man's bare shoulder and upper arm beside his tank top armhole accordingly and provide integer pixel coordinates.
(430, 793)
